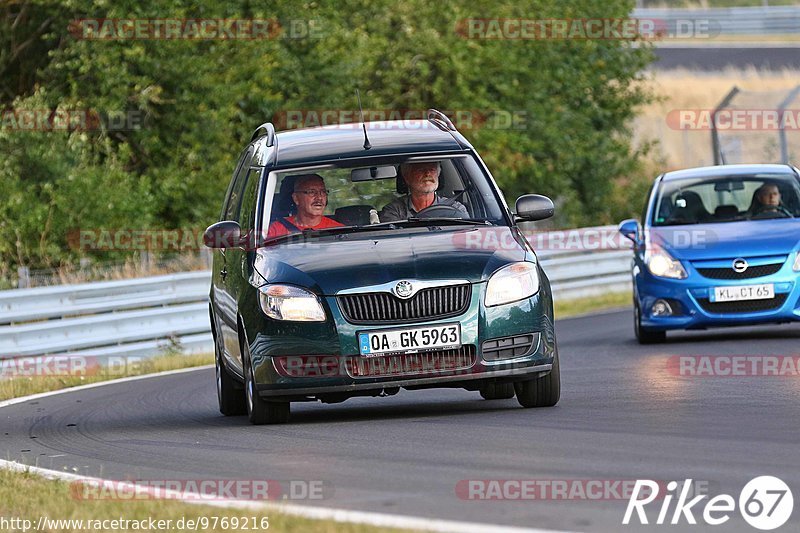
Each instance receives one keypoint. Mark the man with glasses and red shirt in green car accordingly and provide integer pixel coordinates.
(310, 197)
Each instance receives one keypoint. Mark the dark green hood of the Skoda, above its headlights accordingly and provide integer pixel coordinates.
(334, 263)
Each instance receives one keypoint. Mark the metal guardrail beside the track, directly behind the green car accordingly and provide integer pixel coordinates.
(141, 317)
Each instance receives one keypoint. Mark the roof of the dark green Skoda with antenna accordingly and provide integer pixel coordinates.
(346, 141)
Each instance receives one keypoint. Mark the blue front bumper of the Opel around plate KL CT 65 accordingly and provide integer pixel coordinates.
(695, 312)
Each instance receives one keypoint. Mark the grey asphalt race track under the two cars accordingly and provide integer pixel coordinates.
(622, 416)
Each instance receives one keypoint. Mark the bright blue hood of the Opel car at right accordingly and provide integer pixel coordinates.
(729, 240)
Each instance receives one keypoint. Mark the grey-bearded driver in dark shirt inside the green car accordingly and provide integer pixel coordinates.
(422, 180)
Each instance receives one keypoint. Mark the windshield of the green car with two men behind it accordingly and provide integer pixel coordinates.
(450, 191)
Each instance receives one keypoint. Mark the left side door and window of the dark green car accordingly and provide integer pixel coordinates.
(225, 304)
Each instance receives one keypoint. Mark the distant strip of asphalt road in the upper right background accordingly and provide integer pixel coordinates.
(708, 58)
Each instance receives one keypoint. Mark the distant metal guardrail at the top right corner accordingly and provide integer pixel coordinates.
(767, 20)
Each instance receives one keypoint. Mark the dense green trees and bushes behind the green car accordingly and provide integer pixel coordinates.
(200, 99)
